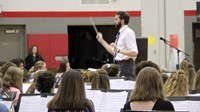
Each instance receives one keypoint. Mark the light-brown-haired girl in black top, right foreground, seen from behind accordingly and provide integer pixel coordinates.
(148, 92)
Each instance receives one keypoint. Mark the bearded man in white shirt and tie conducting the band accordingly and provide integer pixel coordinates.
(124, 49)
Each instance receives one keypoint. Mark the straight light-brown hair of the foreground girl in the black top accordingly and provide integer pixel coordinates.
(149, 86)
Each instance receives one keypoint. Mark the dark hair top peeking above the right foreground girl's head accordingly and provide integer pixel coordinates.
(143, 64)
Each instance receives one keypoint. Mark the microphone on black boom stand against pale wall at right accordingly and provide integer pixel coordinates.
(178, 51)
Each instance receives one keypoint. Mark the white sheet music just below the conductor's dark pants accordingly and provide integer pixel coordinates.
(121, 84)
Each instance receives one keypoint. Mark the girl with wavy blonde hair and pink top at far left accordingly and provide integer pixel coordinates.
(12, 81)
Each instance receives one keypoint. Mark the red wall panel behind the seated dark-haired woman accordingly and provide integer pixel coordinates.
(49, 46)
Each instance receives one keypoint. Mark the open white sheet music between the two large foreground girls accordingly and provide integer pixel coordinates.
(104, 101)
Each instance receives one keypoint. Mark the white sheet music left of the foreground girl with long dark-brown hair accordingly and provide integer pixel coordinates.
(36, 103)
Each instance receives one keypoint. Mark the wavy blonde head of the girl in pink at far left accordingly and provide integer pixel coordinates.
(13, 78)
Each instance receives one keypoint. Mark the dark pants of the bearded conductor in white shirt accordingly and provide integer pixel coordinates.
(126, 67)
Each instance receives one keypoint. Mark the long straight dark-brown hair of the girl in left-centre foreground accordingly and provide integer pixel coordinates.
(71, 92)
